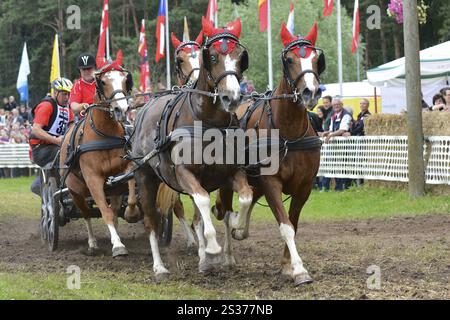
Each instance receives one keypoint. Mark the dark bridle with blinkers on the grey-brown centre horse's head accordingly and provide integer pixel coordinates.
(207, 63)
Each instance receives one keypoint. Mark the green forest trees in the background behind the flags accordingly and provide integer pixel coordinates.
(36, 22)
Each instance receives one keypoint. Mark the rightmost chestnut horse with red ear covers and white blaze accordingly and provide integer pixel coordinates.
(302, 64)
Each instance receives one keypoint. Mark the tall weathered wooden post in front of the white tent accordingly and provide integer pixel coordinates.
(413, 100)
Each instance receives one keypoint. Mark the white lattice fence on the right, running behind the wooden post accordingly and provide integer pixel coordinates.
(383, 158)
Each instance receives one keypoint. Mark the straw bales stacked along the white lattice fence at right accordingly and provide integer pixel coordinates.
(434, 124)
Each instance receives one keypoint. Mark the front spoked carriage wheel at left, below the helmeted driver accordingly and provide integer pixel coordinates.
(53, 207)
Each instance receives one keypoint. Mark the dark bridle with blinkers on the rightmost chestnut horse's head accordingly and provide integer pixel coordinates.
(301, 43)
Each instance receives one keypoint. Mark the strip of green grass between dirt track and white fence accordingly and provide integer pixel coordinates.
(356, 203)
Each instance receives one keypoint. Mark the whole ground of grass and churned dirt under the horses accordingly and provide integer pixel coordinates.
(337, 227)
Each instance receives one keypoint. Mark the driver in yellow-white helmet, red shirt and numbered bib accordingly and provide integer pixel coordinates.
(51, 117)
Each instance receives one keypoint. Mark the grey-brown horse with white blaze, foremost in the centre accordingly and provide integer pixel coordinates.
(213, 100)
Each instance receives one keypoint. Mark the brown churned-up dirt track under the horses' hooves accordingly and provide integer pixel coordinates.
(413, 255)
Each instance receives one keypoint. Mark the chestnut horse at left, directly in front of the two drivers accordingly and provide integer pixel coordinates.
(99, 139)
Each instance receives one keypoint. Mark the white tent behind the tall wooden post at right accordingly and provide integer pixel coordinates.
(390, 77)
